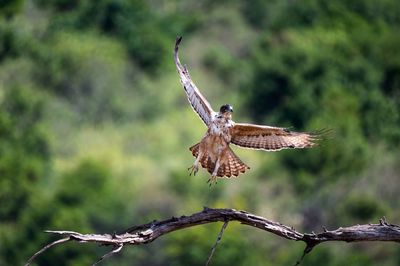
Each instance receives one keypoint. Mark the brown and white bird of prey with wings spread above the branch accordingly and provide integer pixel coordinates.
(213, 152)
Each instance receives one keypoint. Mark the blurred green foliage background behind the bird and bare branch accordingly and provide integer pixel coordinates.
(95, 127)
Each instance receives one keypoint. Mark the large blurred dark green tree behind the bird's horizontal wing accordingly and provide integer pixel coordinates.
(327, 75)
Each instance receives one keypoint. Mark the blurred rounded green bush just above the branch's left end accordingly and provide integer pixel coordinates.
(88, 191)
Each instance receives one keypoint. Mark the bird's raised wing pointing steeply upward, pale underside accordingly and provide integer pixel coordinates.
(198, 102)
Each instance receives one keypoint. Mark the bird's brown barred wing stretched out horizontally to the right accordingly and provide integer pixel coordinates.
(271, 138)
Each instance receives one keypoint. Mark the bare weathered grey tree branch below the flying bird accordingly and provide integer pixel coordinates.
(143, 234)
